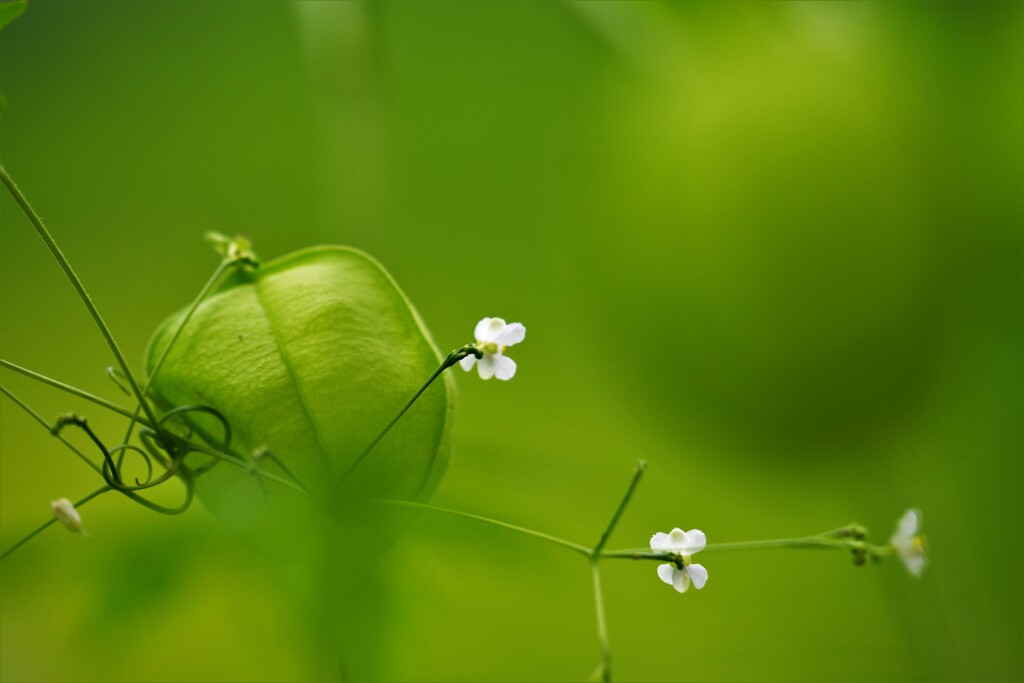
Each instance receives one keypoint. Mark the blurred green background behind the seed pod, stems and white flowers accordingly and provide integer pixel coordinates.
(774, 249)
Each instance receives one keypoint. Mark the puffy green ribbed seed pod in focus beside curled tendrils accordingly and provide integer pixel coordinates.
(310, 357)
